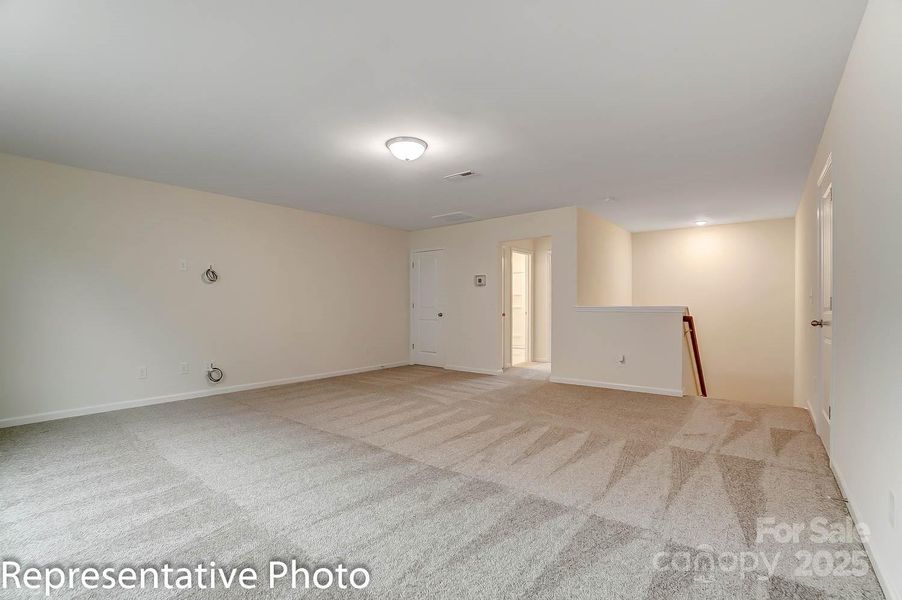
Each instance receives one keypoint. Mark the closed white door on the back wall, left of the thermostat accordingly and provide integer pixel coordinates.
(427, 308)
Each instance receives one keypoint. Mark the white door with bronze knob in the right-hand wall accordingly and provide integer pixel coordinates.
(824, 320)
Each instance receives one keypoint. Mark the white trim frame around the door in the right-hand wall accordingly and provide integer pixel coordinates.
(823, 417)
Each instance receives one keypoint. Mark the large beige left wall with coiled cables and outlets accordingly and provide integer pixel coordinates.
(91, 289)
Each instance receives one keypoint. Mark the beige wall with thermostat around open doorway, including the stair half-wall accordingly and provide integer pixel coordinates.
(585, 345)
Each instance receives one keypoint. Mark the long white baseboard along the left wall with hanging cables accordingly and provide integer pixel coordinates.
(213, 391)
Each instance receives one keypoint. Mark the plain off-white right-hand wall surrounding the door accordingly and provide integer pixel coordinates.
(864, 134)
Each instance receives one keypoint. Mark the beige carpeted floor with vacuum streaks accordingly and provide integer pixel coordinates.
(443, 484)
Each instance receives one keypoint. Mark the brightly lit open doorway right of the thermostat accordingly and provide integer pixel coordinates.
(526, 301)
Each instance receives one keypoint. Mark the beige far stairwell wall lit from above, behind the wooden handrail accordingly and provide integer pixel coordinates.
(737, 280)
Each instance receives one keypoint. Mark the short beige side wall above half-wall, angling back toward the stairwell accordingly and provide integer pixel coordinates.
(604, 257)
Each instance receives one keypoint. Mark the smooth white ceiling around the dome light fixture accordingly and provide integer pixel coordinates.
(679, 109)
